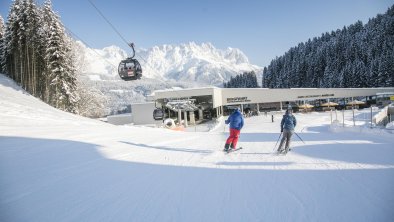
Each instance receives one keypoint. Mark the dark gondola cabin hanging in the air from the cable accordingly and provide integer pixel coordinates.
(130, 69)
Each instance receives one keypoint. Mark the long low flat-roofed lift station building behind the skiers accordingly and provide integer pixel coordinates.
(198, 104)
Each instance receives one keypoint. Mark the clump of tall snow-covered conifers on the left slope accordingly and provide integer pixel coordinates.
(37, 53)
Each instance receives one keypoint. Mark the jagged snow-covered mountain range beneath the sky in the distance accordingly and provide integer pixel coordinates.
(203, 63)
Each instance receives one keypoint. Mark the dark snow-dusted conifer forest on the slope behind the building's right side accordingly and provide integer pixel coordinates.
(355, 56)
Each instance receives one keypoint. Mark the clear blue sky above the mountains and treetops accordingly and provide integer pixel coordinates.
(262, 29)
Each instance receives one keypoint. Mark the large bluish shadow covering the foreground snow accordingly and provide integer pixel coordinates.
(59, 180)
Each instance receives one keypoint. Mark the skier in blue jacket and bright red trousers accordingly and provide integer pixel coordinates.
(236, 121)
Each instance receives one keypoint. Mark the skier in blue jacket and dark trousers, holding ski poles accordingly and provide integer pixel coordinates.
(287, 126)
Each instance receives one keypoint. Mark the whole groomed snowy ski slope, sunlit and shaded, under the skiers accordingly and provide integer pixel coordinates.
(56, 166)
